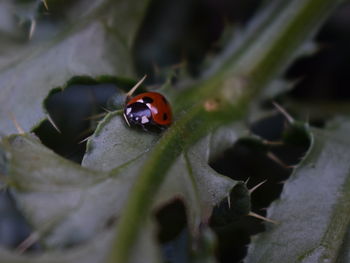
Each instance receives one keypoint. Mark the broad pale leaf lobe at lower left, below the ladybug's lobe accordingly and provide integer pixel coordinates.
(64, 201)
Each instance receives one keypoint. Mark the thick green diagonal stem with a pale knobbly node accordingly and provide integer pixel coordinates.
(223, 97)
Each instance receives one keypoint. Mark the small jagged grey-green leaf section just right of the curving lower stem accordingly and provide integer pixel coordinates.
(195, 181)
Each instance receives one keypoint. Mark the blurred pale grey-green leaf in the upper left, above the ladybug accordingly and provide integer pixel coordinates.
(94, 45)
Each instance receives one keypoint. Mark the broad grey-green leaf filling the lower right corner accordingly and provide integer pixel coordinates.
(313, 210)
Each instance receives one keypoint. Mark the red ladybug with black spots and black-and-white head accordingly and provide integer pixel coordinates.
(149, 110)
